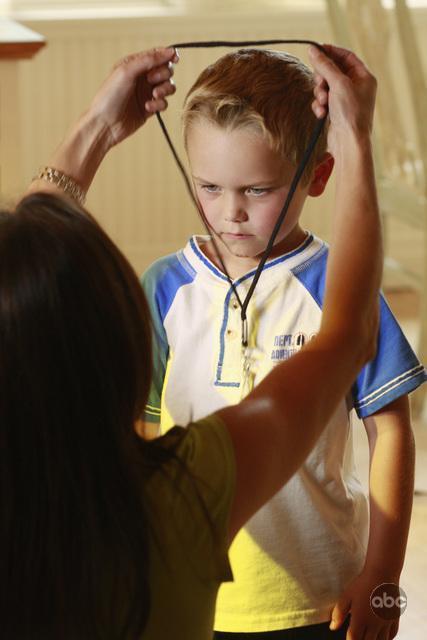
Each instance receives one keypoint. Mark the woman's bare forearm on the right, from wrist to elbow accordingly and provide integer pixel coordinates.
(355, 261)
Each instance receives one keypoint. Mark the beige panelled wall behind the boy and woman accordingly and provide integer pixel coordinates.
(138, 194)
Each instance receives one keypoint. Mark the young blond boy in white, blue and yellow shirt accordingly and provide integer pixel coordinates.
(310, 555)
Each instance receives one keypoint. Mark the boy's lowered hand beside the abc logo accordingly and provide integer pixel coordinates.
(364, 623)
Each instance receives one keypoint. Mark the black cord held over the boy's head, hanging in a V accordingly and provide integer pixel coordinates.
(294, 184)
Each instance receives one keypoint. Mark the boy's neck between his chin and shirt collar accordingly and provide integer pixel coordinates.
(238, 266)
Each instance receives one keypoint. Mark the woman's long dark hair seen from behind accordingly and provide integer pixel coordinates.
(75, 365)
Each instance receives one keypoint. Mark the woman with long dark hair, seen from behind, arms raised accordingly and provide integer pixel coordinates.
(105, 535)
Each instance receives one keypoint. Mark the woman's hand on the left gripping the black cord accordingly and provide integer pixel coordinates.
(136, 88)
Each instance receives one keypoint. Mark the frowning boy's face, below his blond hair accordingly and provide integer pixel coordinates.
(242, 185)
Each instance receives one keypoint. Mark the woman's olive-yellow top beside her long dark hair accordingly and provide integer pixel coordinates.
(188, 501)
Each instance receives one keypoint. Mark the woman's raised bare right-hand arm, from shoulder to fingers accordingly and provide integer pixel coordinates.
(276, 426)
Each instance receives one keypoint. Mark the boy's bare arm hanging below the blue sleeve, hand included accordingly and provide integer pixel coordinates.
(391, 484)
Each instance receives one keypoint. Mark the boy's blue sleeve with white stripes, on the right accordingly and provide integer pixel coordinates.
(395, 371)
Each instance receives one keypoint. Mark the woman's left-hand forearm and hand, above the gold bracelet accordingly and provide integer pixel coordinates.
(136, 88)
